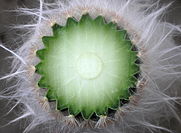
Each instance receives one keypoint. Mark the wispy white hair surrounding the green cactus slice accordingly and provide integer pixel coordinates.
(160, 70)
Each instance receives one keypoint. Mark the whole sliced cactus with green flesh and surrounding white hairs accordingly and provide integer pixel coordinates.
(82, 56)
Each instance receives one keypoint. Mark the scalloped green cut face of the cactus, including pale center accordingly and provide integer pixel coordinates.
(87, 66)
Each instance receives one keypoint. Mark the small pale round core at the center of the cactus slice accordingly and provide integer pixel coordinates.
(89, 66)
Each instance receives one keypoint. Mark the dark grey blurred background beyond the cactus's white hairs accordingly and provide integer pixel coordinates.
(172, 15)
